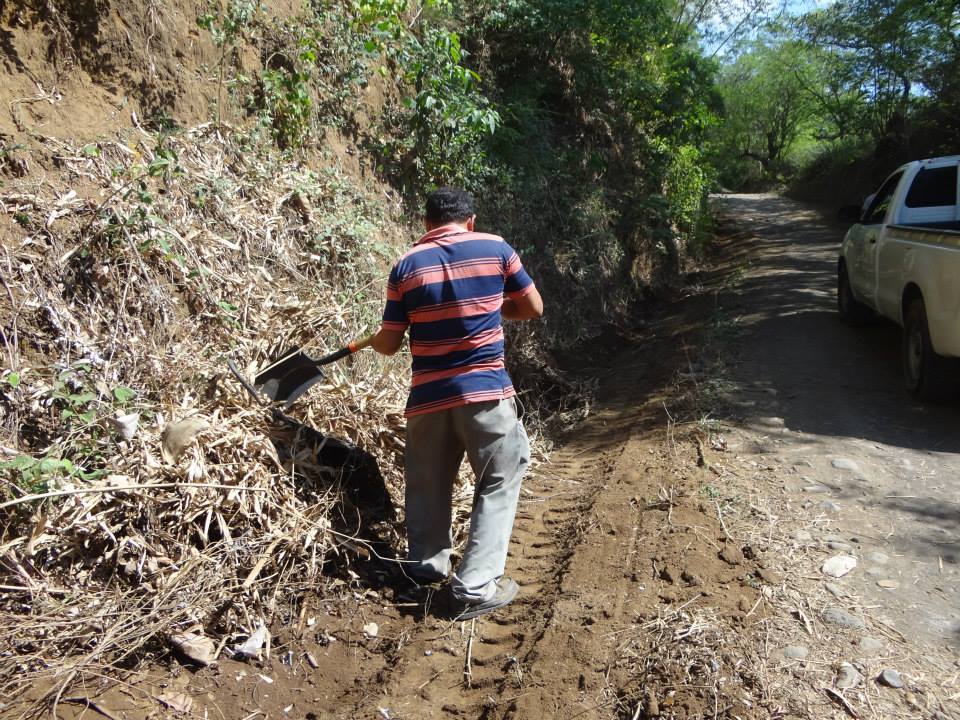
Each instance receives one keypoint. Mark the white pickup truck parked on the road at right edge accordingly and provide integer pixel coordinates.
(901, 260)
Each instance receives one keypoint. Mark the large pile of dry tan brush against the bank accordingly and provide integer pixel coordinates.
(174, 512)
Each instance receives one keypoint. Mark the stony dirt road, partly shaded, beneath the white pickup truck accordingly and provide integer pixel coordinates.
(831, 409)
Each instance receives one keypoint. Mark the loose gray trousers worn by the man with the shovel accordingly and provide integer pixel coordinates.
(499, 452)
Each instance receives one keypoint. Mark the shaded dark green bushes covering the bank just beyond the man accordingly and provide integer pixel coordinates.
(596, 173)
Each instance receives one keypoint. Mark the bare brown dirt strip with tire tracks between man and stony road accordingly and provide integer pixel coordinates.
(611, 537)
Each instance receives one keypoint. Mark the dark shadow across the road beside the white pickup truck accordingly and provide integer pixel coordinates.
(831, 379)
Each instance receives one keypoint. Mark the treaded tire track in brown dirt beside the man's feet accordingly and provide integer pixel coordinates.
(427, 678)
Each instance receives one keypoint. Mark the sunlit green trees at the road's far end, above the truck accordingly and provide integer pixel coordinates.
(880, 70)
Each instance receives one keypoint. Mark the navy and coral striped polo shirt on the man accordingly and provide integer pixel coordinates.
(448, 289)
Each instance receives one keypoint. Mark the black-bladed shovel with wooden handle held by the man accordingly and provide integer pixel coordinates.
(293, 374)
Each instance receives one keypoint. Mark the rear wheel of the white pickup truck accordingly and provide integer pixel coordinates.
(926, 375)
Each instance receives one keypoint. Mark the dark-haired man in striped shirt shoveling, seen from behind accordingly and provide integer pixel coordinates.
(452, 289)
